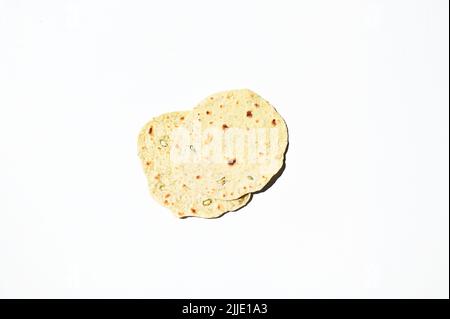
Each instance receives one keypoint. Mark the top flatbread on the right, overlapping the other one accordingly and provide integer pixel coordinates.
(229, 171)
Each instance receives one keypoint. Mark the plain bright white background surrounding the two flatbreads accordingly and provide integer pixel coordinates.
(360, 211)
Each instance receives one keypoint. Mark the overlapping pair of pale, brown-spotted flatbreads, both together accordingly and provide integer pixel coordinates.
(208, 161)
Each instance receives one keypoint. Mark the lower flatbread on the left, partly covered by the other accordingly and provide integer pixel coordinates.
(154, 147)
